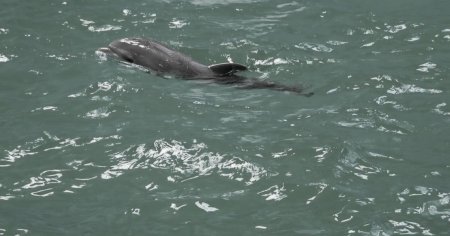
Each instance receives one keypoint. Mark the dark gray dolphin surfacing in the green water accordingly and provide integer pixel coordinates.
(161, 59)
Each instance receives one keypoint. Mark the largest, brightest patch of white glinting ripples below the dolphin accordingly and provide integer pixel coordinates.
(184, 163)
